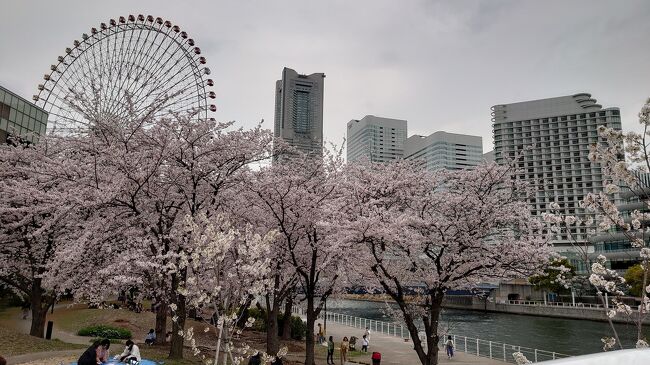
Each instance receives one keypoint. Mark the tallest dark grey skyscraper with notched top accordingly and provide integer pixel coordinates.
(299, 110)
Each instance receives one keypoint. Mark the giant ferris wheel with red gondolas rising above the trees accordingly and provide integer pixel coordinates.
(132, 67)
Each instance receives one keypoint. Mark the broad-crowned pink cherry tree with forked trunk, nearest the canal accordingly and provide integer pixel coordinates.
(424, 233)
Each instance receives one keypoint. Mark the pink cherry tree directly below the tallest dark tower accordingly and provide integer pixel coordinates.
(296, 196)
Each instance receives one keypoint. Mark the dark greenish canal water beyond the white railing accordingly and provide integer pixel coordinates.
(567, 336)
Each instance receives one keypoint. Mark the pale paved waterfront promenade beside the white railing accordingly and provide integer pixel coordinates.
(394, 351)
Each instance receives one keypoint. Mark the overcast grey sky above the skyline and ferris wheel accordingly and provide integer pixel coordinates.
(439, 64)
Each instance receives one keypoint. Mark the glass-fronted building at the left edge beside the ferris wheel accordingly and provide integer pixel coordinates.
(20, 117)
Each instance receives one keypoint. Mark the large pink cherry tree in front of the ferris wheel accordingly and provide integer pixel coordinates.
(152, 174)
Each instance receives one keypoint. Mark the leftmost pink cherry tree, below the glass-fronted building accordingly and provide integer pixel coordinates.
(40, 210)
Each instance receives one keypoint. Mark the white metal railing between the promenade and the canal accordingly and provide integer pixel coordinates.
(470, 345)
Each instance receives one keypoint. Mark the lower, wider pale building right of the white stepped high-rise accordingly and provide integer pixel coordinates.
(442, 150)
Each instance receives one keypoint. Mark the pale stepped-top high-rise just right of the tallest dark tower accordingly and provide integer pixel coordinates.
(375, 138)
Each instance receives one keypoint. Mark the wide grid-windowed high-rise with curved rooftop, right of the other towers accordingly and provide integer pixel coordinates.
(554, 135)
